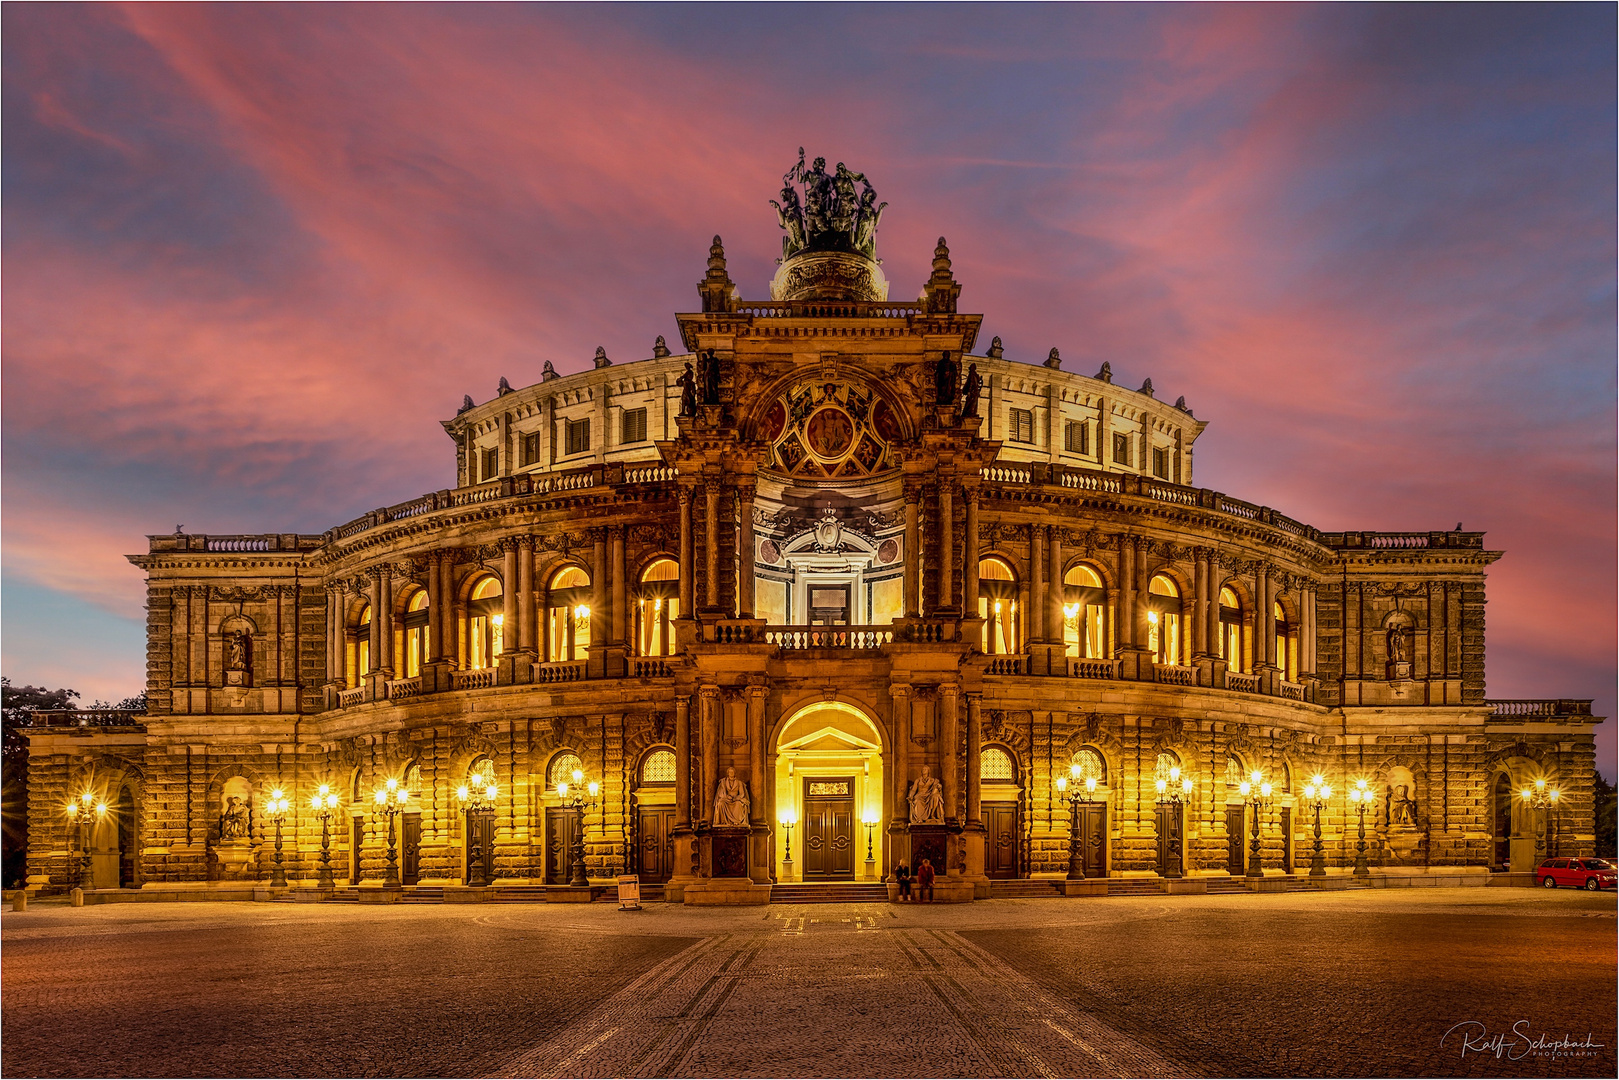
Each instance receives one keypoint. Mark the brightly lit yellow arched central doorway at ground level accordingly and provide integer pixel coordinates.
(830, 784)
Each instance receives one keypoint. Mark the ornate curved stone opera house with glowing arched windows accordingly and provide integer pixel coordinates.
(833, 589)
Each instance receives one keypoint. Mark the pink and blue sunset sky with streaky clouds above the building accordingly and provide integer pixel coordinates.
(255, 255)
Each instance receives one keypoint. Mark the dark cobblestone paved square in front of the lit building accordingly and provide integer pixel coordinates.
(1361, 984)
